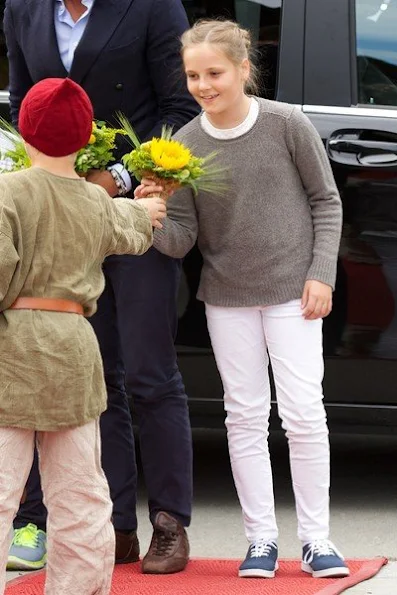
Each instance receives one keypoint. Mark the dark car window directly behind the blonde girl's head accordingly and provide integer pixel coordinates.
(262, 17)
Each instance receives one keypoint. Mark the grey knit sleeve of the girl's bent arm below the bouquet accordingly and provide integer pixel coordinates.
(180, 228)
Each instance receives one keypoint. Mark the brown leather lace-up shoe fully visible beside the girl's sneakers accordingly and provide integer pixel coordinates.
(169, 548)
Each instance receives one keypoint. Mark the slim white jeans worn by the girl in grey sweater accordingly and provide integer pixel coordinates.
(242, 340)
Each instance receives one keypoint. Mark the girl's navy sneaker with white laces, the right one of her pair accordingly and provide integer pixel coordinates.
(321, 559)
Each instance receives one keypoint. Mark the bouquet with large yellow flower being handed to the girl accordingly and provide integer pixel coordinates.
(170, 163)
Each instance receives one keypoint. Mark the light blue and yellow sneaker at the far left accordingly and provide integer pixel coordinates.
(28, 550)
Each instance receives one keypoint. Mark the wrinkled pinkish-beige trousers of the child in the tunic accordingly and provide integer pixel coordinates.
(80, 535)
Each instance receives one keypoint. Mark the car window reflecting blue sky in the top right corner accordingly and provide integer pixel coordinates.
(376, 26)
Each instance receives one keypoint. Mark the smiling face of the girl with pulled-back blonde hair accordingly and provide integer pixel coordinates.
(215, 82)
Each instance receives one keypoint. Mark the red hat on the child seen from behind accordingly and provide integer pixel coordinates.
(56, 117)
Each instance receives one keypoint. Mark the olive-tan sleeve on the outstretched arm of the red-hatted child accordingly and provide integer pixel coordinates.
(131, 227)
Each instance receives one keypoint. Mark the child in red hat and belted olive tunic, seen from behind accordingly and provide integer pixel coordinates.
(55, 230)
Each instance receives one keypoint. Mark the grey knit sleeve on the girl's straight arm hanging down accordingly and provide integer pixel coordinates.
(311, 161)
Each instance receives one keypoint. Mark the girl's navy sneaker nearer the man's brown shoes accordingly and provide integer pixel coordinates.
(261, 560)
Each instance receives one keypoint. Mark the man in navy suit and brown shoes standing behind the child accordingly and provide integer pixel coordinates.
(125, 54)
